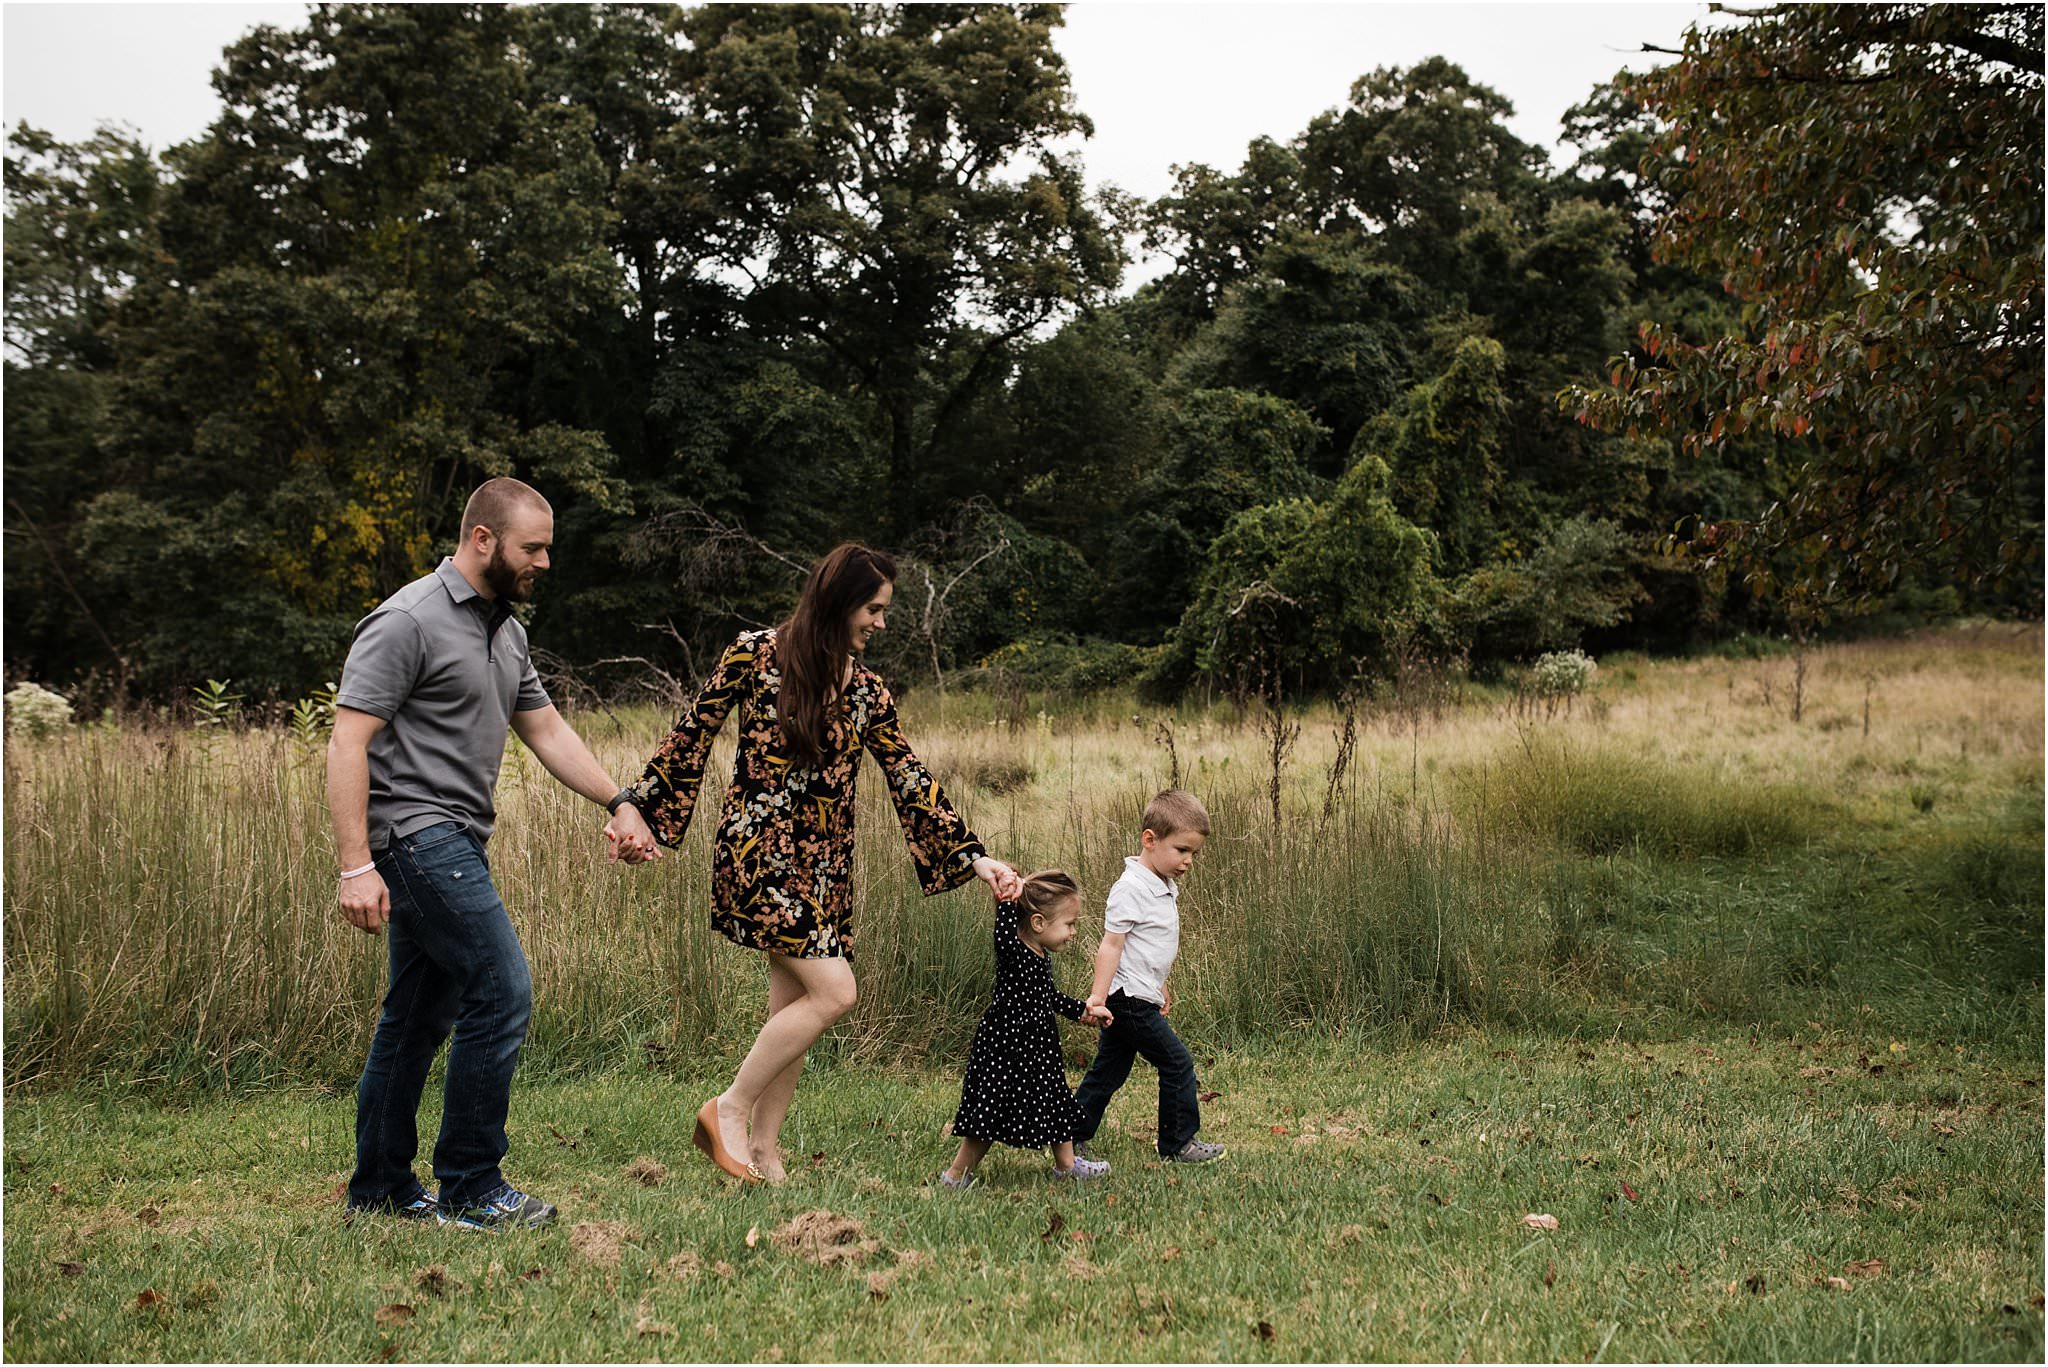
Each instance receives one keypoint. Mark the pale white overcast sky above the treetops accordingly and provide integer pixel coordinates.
(1166, 83)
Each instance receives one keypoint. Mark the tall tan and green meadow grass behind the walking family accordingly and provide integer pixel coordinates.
(1674, 847)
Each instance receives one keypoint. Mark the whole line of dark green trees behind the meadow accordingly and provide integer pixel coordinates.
(734, 284)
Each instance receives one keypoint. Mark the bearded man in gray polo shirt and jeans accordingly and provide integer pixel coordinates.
(433, 681)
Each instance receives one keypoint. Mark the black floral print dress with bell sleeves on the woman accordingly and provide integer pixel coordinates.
(783, 862)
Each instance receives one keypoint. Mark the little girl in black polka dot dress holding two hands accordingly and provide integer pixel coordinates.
(1017, 1083)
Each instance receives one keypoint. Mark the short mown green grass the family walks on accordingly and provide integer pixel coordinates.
(1369, 1210)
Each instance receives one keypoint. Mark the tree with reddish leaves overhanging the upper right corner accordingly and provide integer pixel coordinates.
(1869, 185)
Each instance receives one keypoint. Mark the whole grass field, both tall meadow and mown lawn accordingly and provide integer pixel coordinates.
(1752, 1007)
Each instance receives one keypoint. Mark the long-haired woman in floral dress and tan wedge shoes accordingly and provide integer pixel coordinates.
(781, 868)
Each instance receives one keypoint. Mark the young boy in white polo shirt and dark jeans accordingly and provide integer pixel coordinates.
(1142, 938)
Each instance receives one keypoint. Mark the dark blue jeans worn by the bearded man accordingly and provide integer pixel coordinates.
(456, 964)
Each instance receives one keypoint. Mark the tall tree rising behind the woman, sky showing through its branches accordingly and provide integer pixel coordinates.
(876, 153)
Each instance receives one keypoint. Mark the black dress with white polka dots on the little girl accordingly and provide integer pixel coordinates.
(1017, 1081)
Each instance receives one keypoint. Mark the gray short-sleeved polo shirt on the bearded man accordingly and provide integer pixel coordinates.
(445, 667)
